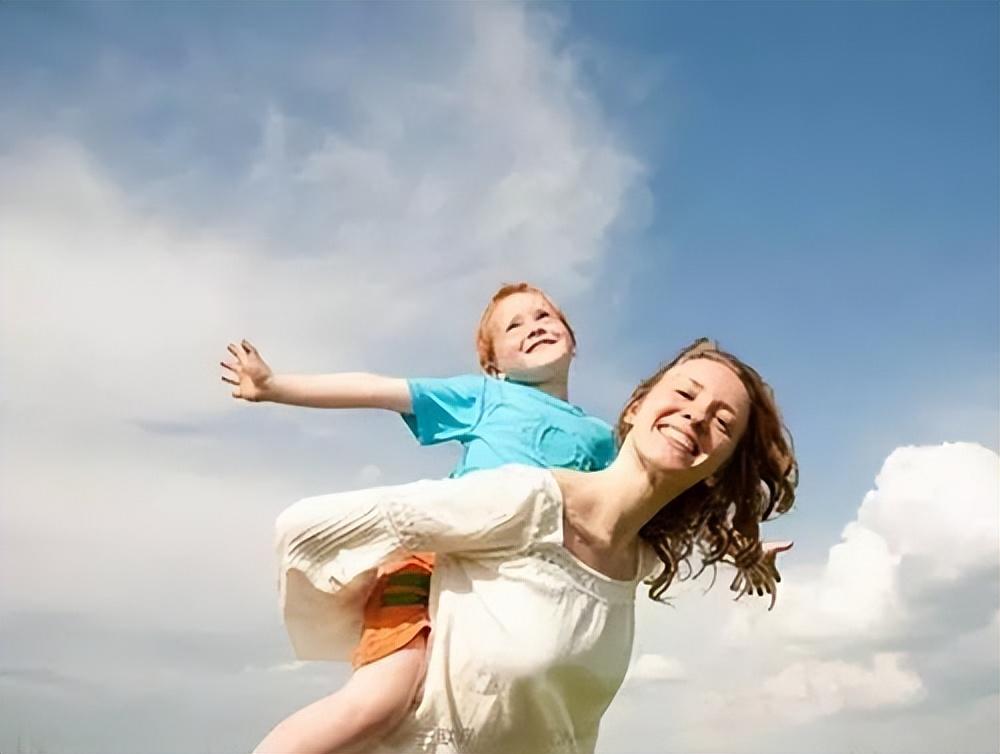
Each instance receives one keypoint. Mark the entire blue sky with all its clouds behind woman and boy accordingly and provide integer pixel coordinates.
(813, 184)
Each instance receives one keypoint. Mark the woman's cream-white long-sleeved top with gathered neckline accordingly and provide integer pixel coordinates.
(529, 645)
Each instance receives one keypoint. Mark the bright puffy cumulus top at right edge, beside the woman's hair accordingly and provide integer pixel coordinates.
(931, 525)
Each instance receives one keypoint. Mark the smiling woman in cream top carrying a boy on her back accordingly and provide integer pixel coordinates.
(533, 599)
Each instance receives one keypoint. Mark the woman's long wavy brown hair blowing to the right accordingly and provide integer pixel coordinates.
(722, 520)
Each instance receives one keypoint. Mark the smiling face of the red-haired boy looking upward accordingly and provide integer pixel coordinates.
(530, 341)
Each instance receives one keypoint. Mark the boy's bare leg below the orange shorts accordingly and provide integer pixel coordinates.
(371, 703)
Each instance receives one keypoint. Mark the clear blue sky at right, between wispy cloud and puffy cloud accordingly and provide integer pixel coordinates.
(824, 194)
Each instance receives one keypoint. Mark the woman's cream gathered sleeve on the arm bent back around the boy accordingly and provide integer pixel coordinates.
(330, 546)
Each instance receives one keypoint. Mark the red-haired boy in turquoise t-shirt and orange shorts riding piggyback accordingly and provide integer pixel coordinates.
(516, 412)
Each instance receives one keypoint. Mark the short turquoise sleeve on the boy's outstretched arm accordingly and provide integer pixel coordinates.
(445, 409)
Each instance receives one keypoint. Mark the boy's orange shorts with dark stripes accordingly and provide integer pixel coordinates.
(396, 612)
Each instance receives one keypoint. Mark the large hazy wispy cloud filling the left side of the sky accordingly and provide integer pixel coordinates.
(339, 213)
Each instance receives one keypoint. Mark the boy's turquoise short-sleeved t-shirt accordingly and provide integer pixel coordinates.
(502, 422)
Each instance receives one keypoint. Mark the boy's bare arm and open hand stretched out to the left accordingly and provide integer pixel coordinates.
(255, 381)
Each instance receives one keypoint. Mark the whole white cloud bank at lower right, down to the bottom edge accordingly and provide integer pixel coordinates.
(880, 645)
